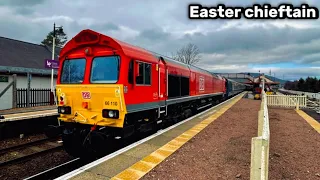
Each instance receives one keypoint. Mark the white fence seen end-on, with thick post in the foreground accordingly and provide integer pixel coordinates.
(260, 145)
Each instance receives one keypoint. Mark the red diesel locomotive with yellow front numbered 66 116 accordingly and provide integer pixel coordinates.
(108, 90)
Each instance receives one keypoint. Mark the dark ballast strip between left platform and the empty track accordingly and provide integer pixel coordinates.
(17, 141)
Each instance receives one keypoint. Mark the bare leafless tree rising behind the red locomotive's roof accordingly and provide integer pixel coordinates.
(189, 54)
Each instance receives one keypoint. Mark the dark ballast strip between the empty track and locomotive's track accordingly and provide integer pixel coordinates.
(34, 166)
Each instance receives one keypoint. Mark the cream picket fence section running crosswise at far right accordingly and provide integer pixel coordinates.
(287, 101)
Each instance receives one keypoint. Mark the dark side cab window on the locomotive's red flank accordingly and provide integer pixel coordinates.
(144, 75)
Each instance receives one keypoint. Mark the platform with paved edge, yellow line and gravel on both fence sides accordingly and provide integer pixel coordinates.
(216, 144)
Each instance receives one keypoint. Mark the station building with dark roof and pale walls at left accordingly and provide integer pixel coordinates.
(27, 61)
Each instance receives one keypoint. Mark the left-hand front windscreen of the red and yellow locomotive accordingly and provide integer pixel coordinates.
(73, 71)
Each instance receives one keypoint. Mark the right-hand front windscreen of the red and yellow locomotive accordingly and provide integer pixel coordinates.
(105, 69)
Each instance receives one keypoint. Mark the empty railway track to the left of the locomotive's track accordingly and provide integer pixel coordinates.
(27, 151)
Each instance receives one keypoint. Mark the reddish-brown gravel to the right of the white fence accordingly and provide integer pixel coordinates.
(294, 147)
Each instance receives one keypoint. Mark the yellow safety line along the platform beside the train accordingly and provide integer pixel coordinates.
(141, 168)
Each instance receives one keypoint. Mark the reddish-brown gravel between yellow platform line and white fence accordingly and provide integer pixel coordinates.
(221, 151)
